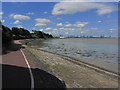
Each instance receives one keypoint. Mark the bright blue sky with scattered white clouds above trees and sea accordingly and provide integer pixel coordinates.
(63, 18)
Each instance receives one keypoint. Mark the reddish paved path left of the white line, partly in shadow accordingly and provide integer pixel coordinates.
(15, 71)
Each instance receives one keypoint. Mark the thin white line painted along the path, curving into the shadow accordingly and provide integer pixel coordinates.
(31, 75)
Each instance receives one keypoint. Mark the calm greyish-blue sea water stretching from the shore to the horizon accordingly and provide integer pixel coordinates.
(102, 52)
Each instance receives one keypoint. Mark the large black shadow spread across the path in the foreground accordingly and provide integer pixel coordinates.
(19, 77)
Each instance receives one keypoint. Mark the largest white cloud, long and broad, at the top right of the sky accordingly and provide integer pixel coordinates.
(74, 7)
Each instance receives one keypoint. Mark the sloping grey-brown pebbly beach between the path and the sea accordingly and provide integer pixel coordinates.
(73, 74)
